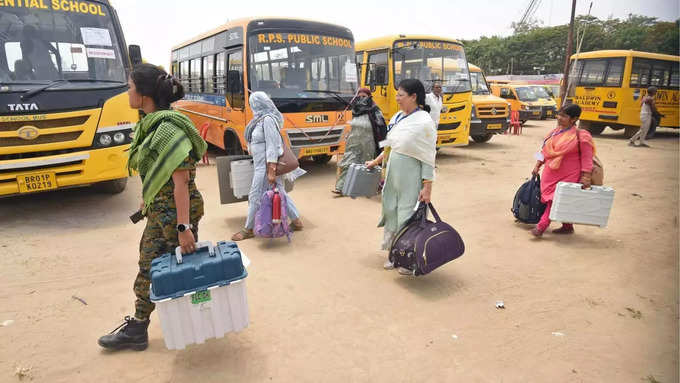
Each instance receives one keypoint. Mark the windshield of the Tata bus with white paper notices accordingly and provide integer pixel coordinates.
(38, 46)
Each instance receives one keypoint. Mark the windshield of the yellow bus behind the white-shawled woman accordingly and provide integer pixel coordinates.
(430, 61)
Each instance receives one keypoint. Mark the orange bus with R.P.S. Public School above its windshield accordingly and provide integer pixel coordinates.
(306, 67)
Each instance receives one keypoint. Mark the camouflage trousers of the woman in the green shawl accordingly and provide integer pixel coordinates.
(159, 237)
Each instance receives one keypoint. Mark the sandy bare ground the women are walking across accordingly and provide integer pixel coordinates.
(598, 306)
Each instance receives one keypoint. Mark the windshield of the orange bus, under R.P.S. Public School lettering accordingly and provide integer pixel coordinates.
(302, 65)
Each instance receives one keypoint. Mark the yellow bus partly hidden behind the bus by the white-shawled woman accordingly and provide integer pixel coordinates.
(490, 114)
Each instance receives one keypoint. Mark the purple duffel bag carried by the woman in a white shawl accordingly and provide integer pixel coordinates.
(422, 245)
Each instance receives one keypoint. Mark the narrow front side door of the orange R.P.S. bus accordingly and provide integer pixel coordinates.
(235, 111)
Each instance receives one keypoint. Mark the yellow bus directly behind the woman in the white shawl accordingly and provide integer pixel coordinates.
(387, 60)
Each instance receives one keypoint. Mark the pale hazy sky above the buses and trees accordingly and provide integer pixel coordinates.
(158, 25)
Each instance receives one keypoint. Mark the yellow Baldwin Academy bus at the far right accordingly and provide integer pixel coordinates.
(609, 84)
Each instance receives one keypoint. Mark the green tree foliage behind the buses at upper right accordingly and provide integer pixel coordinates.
(536, 46)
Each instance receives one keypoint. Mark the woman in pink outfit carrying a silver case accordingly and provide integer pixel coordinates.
(567, 154)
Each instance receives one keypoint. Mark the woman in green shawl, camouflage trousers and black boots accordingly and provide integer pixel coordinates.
(164, 151)
